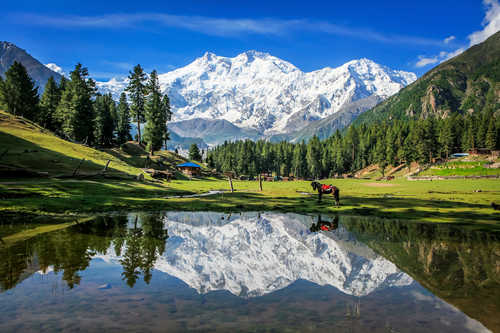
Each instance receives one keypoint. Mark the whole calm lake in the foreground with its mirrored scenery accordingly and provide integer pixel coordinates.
(248, 272)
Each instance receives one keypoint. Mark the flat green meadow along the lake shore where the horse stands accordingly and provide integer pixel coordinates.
(446, 201)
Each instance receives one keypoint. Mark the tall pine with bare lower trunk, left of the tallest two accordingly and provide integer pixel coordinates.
(137, 92)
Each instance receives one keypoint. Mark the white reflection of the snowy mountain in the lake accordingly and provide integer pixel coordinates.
(252, 255)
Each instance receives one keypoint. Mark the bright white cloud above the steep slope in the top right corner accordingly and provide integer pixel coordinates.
(491, 25)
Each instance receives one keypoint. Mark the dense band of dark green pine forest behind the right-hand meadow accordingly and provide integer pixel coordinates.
(383, 143)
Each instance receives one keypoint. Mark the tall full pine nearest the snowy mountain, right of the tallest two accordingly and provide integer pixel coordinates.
(155, 129)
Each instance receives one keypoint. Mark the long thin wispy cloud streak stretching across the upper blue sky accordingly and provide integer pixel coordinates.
(218, 26)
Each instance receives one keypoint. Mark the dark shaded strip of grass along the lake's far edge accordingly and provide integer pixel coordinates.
(92, 196)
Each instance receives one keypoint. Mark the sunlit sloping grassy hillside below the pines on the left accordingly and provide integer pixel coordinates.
(28, 146)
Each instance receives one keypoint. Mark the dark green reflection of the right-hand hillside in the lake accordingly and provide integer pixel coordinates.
(458, 263)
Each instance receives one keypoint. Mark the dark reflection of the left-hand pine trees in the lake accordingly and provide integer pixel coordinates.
(70, 250)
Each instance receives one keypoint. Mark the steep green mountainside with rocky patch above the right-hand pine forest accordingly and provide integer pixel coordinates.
(467, 83)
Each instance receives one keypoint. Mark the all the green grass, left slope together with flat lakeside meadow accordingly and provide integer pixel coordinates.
(31, 147)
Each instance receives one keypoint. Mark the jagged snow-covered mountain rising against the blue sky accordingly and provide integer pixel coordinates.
(259, 91)
